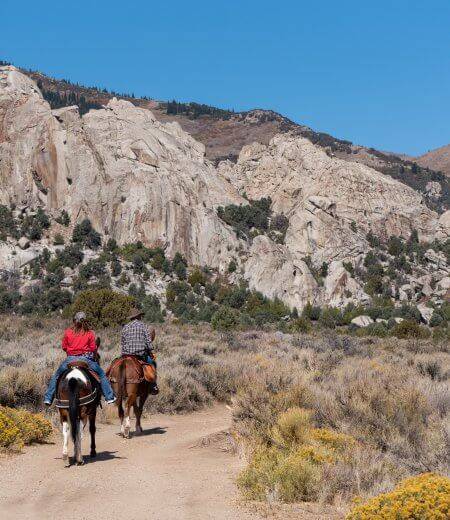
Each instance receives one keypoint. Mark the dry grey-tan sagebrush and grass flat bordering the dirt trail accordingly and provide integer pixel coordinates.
(392, 396)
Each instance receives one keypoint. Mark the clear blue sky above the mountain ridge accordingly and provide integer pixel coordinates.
(376, 74)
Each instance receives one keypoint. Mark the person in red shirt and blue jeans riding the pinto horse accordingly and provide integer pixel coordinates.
(80, 345)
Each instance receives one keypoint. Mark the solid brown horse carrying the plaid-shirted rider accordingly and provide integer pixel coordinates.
(126, 377)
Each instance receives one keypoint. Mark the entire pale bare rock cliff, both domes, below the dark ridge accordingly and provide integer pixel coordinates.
(137, 178)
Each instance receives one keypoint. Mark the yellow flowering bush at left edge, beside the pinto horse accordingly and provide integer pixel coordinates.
(19, 427)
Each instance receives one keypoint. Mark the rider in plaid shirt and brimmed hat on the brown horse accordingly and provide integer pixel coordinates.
(136, 341)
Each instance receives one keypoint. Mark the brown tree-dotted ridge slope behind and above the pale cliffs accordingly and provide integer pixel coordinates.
(225, 132)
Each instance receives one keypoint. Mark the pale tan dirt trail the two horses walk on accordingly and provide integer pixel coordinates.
(163, 475)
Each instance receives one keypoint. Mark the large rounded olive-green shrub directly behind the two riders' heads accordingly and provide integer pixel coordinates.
(103, 307)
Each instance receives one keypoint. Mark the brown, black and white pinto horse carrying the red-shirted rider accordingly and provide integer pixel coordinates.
(77, 398)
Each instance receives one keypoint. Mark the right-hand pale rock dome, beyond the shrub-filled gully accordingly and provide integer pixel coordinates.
(331, 203)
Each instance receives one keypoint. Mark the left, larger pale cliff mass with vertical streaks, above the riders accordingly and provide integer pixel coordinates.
(135, 178)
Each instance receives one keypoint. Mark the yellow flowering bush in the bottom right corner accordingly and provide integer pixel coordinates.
(423, 497)
